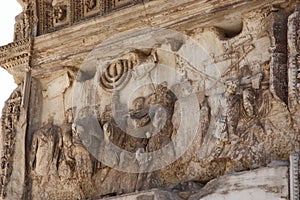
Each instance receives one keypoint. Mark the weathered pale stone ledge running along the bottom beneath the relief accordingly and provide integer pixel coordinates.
(258, 184)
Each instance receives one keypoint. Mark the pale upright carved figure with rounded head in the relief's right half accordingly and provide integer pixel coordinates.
(228, 113)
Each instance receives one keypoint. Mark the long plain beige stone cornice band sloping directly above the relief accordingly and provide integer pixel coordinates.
(54, 48)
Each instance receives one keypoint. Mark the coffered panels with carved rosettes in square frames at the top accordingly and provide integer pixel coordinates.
(54, 15)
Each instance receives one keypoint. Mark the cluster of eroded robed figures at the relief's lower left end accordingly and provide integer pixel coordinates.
(58, 157)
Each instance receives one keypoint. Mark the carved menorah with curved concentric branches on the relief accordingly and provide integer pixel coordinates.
(116, 75)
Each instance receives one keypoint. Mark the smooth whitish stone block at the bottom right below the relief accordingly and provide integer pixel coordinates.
(259, 184)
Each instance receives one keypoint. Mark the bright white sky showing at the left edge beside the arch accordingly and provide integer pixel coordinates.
(8, 10)
